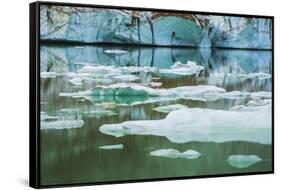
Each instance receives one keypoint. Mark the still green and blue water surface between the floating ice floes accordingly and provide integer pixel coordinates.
(72, 155)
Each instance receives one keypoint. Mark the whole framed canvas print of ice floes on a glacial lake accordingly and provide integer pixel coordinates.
(122, 94)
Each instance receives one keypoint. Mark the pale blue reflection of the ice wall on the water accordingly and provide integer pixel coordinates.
(220, 65)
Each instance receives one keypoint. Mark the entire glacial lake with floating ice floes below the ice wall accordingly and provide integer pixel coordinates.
(74, 143)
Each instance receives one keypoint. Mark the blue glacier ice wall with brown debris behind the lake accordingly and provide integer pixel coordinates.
(92, 25)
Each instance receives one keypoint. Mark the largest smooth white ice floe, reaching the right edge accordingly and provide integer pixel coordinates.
(205, 125)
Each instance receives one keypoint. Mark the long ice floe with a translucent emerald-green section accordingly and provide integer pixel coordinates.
(145, 94)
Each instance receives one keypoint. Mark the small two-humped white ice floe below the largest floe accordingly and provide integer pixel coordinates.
(173, 153)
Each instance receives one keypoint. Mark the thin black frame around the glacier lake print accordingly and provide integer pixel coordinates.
(34, 93)
